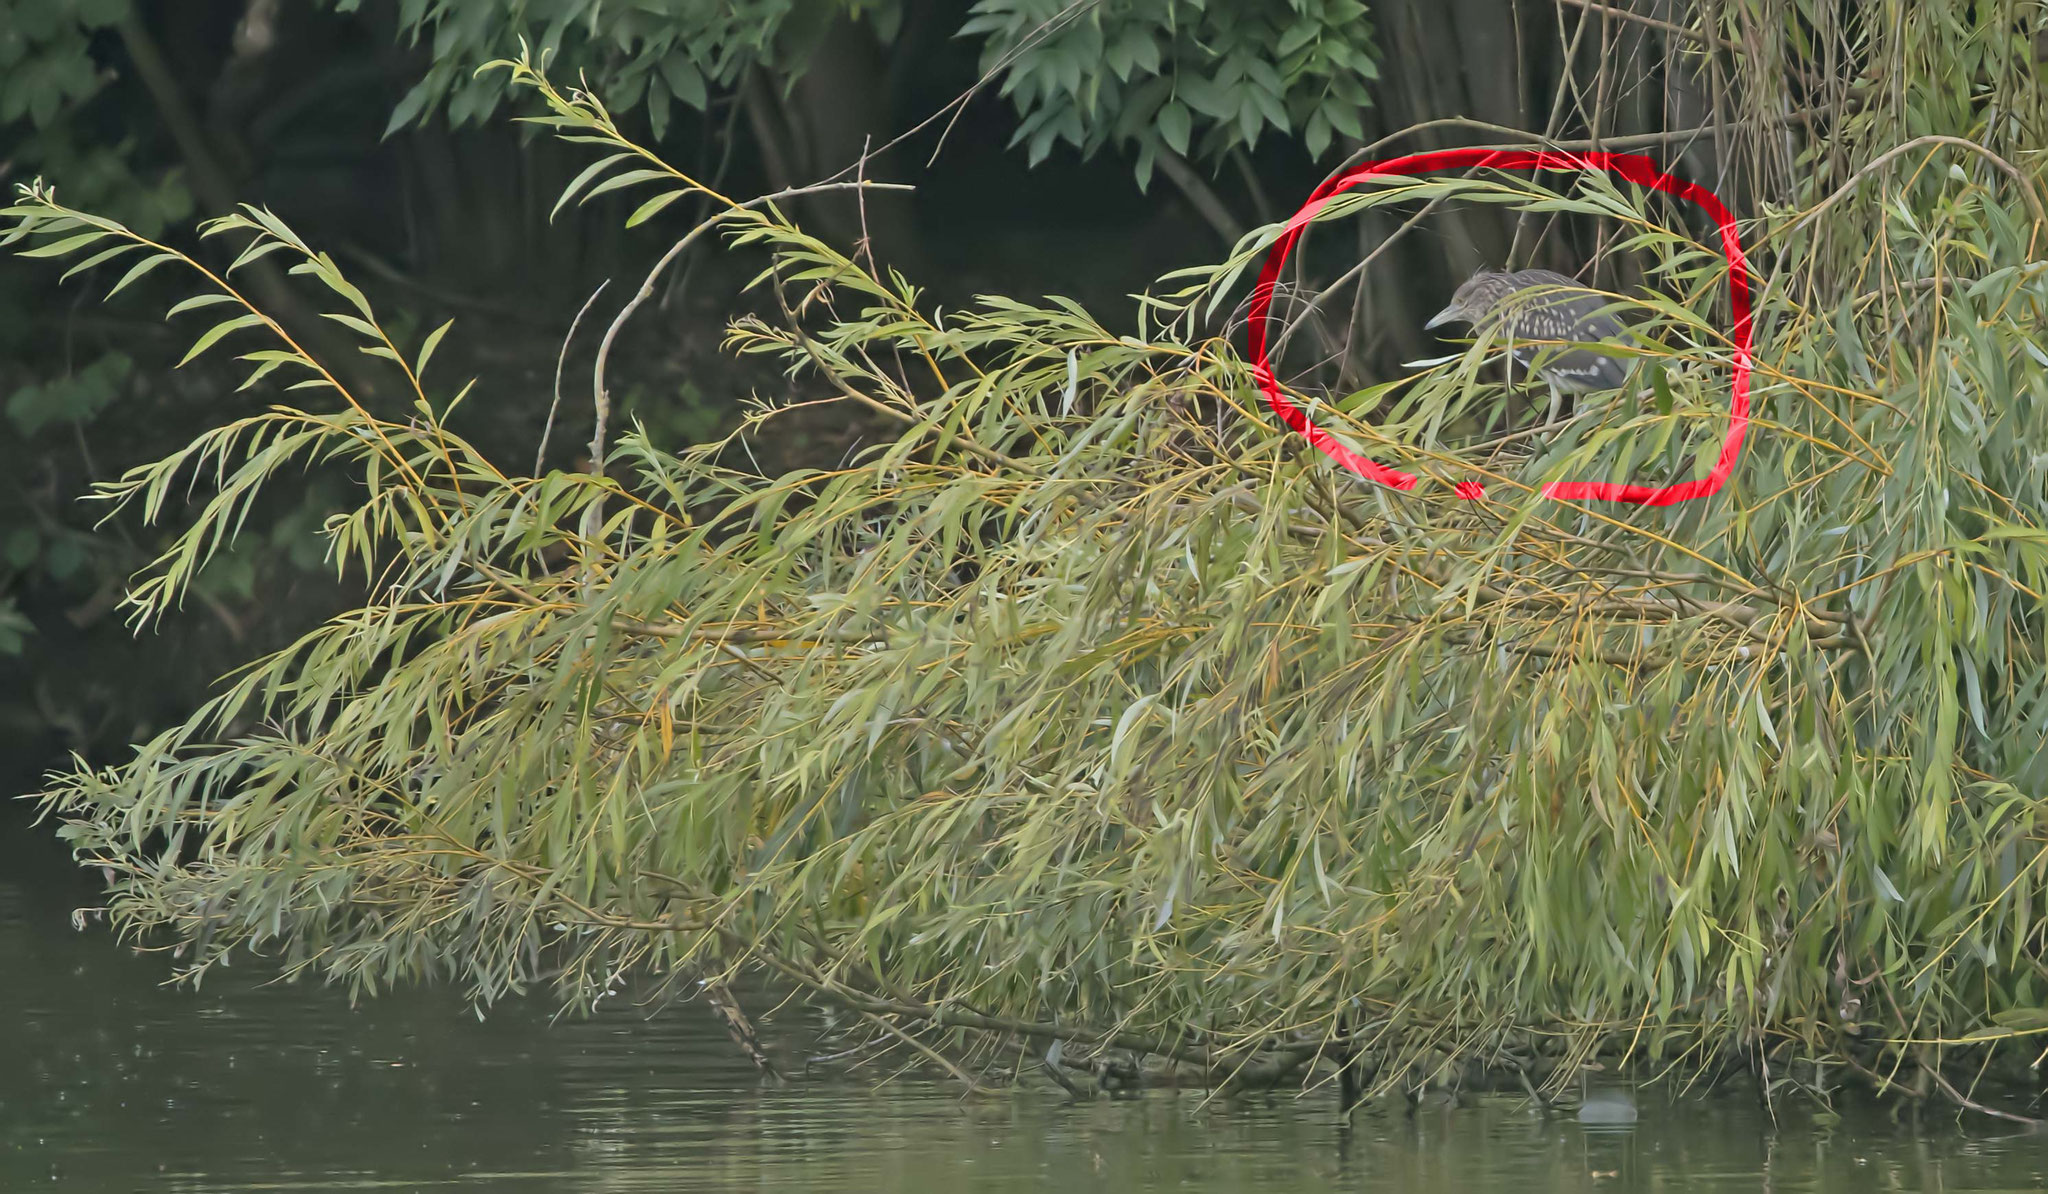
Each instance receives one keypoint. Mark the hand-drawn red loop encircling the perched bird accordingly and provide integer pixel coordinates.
(1633, 167)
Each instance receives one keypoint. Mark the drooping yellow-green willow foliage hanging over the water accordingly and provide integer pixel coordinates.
(1097, 710)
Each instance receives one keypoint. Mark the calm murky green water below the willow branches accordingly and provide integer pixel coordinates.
(114, 1082)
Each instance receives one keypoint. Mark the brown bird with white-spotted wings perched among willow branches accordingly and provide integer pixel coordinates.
(1545, 306)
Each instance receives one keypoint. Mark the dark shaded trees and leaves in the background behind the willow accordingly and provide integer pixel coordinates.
(1109, 144)
